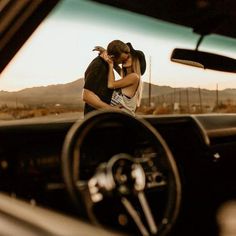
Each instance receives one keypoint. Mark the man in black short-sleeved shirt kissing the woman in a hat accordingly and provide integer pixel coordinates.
(96, 93)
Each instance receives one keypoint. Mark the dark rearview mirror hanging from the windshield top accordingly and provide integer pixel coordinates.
(204, 60)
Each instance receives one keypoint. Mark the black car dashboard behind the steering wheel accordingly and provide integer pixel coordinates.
(203, 147)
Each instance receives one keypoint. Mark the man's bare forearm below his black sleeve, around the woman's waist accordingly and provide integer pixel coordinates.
(93, 100)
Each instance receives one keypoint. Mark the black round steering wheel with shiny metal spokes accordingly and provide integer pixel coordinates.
(119, 171)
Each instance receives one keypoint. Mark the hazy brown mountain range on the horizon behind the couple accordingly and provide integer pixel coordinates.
(70, 94)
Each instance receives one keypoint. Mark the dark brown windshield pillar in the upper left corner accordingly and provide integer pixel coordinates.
(28, 14)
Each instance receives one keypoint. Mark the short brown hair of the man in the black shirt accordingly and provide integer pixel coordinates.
(116, 48)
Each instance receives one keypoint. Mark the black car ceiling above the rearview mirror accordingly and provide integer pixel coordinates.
(203, 16)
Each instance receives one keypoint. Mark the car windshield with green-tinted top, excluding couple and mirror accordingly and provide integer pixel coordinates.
(46, 75)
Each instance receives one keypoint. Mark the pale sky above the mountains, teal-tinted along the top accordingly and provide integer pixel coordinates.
(61, 48)
